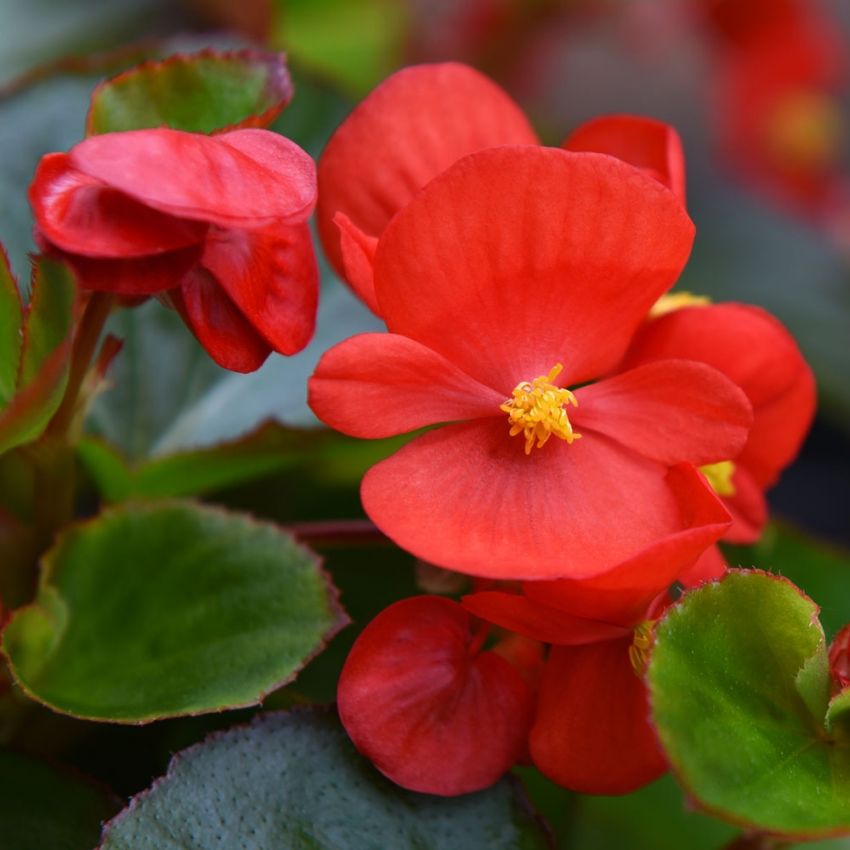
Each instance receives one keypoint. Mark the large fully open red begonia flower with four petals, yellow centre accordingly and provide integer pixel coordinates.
(512, 262)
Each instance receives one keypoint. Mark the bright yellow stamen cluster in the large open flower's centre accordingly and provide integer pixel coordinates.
(536, 410)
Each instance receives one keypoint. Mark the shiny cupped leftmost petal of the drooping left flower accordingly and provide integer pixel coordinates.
(79, 214)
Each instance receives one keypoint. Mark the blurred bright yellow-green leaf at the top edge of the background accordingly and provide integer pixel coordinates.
(355, 43)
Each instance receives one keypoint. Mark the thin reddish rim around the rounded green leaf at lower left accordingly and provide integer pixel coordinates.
(340, 616)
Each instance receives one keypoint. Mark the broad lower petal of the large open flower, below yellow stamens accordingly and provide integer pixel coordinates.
(564, 510)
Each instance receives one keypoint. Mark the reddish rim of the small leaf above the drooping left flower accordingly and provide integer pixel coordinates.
(279, 80)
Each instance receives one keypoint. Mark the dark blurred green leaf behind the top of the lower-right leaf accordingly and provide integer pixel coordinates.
(820, 569)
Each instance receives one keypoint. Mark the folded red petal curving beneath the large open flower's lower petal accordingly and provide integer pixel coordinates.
(624, 594)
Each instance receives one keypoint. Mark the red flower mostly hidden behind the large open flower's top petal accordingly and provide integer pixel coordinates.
(422, 120)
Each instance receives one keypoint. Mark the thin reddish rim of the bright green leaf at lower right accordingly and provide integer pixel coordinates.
(693, 800)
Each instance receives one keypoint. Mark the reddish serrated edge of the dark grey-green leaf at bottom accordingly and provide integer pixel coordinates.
(325, 712)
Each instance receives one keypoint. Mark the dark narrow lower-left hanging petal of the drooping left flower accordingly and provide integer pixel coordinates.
(219, 326)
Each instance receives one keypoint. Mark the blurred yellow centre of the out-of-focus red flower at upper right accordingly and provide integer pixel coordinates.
(803, 130)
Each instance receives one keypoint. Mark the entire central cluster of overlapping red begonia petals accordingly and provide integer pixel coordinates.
(491, 259)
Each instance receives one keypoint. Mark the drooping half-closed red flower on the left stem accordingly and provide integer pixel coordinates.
(216, 225)
